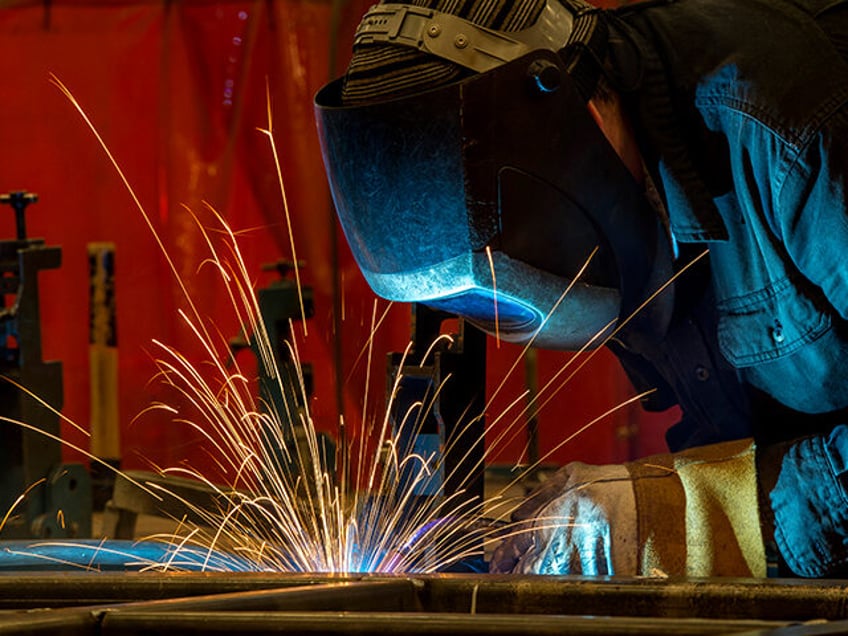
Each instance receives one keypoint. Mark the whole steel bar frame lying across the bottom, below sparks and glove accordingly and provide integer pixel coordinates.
(267, 603)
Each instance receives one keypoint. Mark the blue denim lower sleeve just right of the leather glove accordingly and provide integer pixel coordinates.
(810, 506)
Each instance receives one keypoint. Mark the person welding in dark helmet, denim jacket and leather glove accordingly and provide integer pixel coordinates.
(606, 153)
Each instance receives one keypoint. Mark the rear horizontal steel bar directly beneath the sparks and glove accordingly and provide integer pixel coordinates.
(784, 599)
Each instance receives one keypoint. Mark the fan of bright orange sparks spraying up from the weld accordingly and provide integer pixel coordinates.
(280, 509)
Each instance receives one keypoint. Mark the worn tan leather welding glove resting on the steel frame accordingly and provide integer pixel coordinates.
(692, 513)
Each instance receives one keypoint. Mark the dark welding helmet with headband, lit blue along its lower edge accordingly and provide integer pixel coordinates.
(486, 197)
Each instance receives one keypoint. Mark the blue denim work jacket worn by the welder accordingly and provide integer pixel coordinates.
(741, 111)
